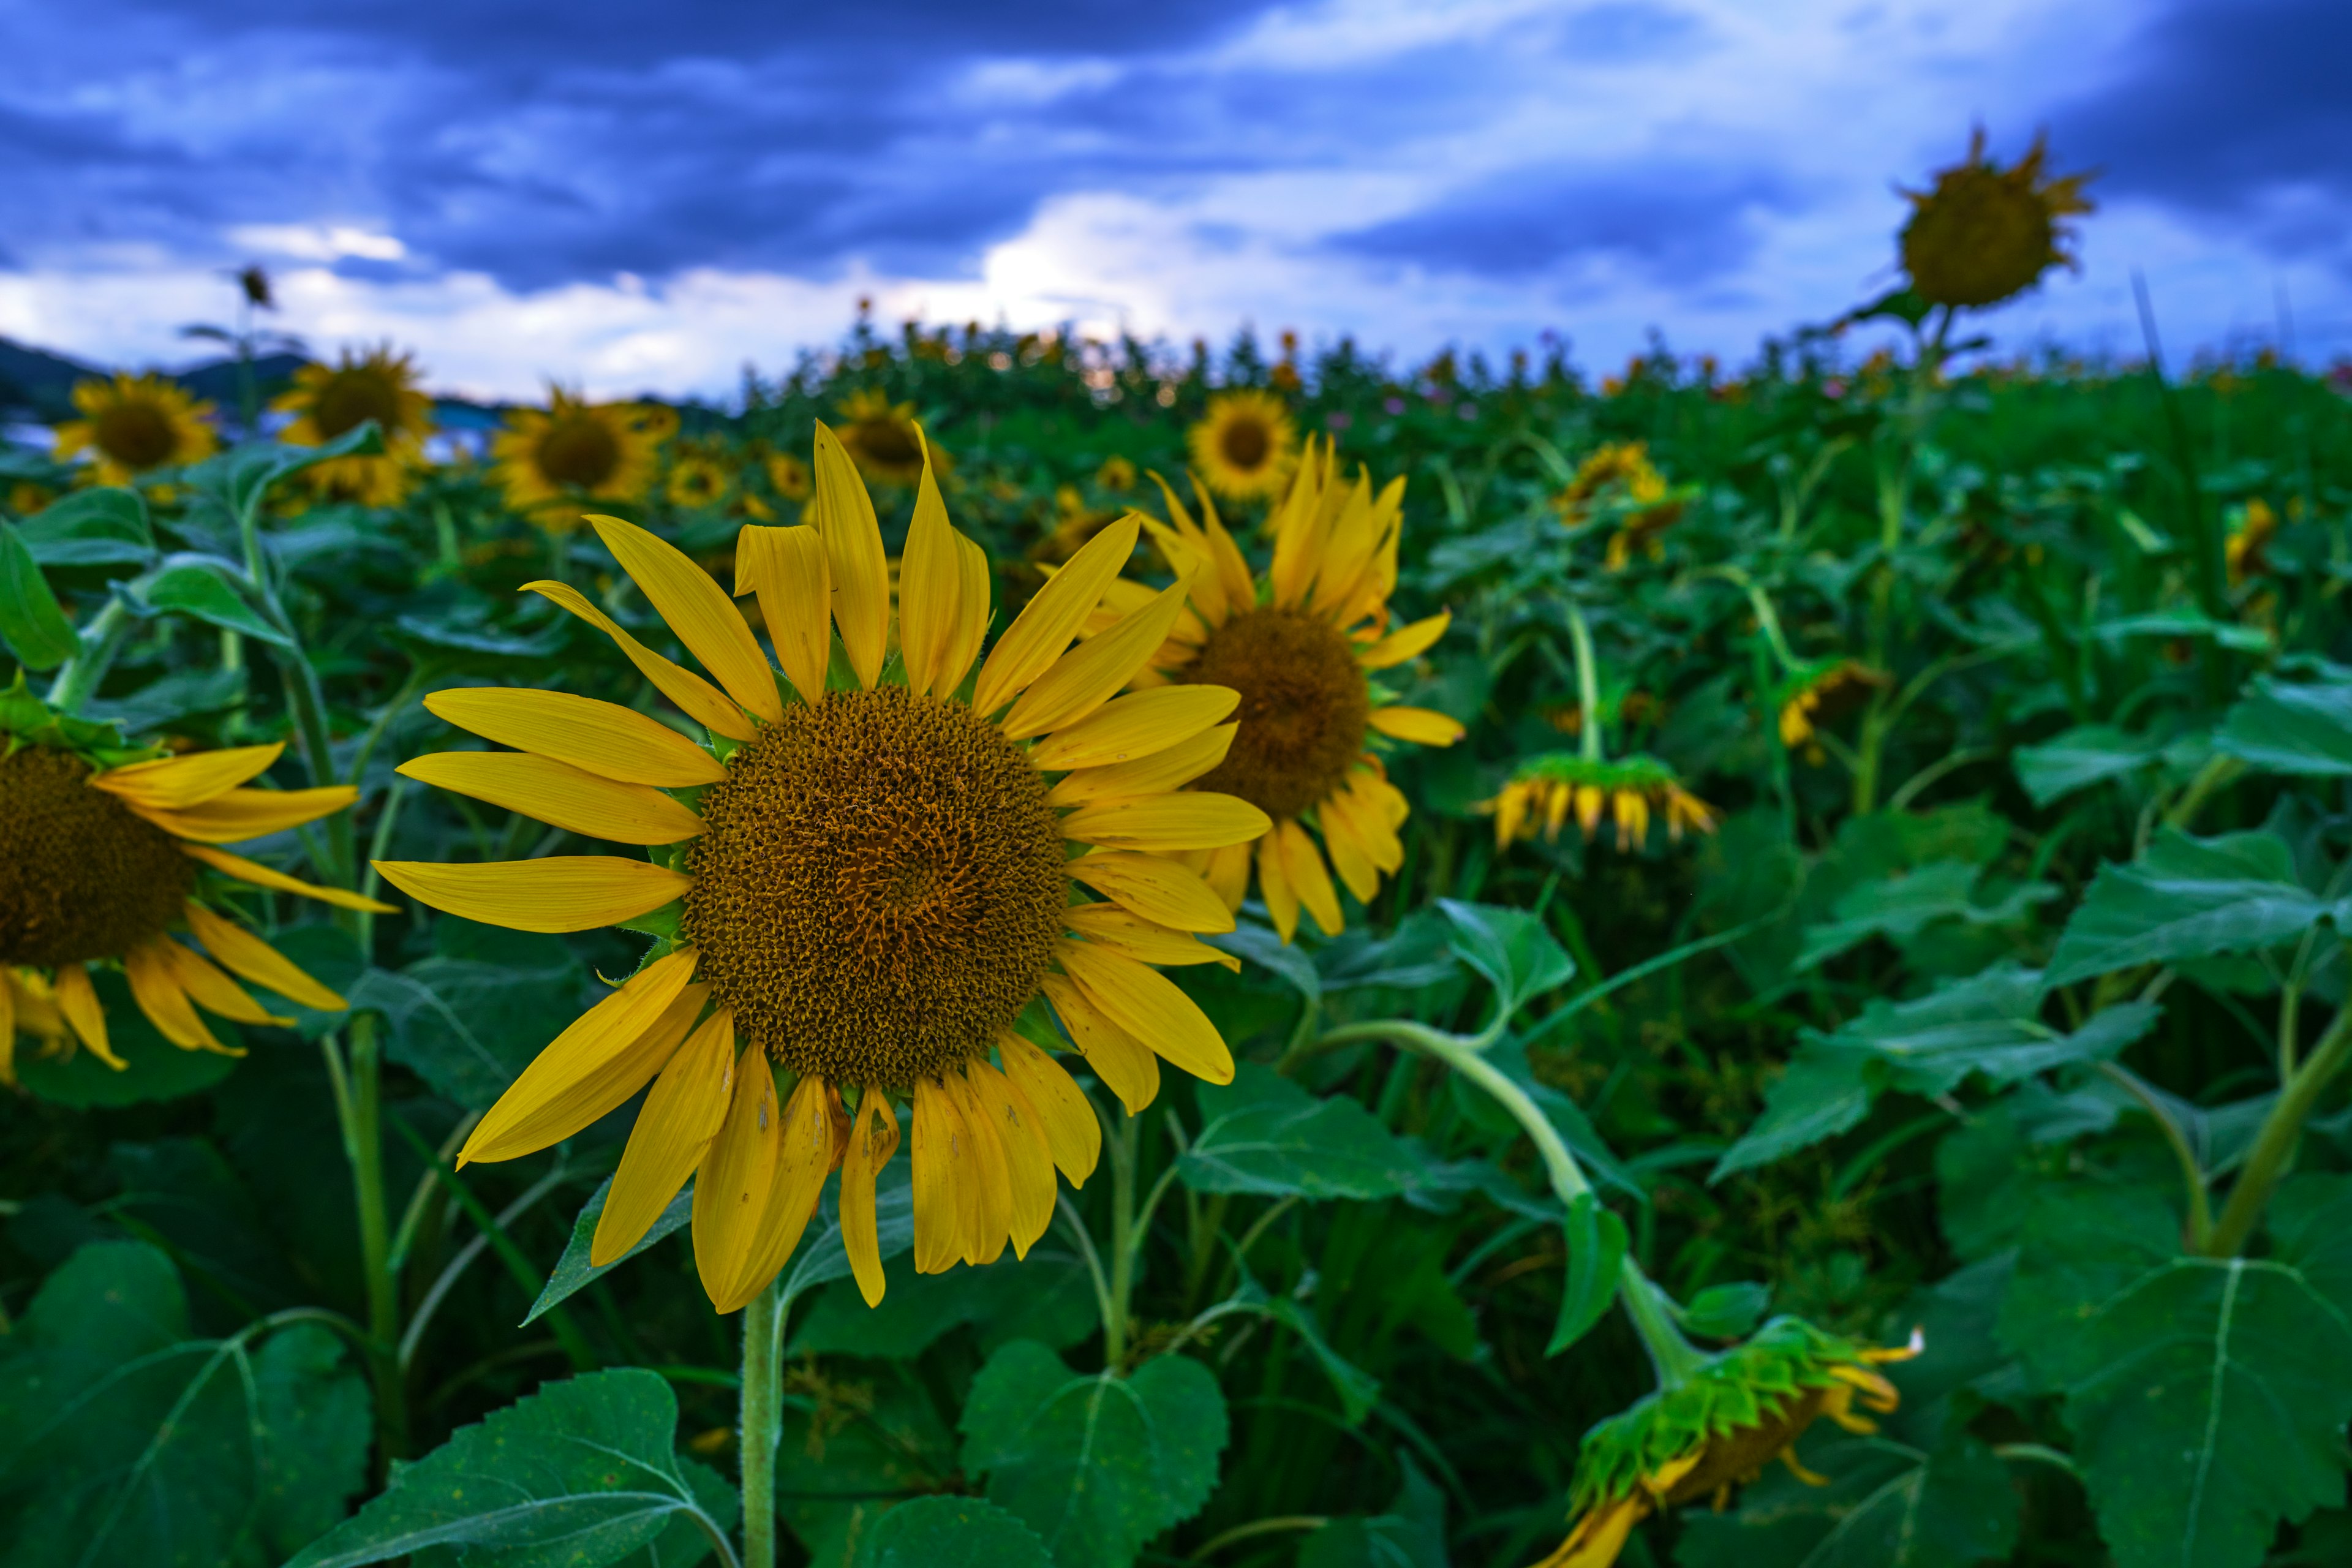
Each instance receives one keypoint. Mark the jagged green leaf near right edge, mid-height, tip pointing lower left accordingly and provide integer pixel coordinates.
(2186, 899)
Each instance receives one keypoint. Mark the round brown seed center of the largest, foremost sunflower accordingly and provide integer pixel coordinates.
(878, 887)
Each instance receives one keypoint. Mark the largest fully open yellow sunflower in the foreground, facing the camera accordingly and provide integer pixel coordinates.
(867, 883)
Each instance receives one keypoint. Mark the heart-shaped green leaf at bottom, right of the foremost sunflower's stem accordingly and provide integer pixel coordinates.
(1097, 1466)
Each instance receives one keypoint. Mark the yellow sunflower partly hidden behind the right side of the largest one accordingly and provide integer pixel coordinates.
(1299, 645)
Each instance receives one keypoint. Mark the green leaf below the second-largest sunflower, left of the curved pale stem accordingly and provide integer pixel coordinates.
(1271, 1137)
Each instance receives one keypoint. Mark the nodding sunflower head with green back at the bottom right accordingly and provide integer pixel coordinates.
(1718, 1430)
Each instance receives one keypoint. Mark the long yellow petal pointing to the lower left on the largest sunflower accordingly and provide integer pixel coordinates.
(596, 1064)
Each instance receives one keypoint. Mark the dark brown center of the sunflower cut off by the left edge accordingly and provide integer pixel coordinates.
(81, 873)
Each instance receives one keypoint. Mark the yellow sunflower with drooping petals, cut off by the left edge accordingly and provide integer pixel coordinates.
(107, 852)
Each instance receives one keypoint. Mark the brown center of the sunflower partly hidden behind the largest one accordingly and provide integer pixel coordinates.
(1304, 709)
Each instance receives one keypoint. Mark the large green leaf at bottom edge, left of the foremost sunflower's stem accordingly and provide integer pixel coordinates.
(570, 1477)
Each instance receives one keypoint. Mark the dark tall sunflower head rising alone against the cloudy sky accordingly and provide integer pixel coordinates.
(1984, 234)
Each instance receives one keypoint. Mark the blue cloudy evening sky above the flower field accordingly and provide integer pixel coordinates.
(646, 196)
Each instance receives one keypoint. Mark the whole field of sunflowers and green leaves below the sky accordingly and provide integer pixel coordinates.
(1024, 951)
